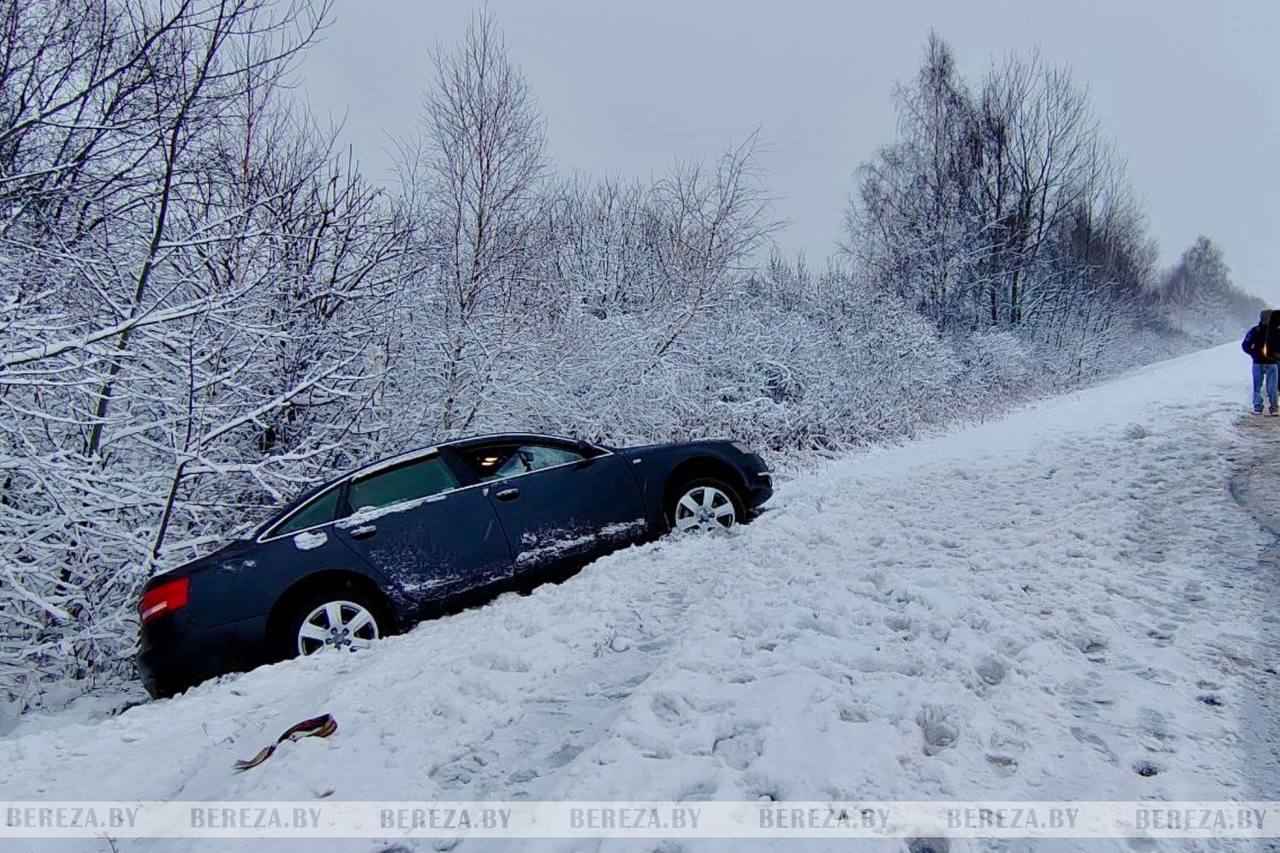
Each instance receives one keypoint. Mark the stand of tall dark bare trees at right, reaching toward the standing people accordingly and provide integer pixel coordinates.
(1002, 208)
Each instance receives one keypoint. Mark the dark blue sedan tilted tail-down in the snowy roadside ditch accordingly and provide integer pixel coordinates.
(427, 532)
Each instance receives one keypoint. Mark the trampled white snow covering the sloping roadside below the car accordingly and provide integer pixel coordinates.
(1028, 609)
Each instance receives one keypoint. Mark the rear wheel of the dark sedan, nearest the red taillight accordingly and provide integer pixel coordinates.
(362, 619)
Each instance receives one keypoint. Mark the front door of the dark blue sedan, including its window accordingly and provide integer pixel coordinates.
(557, 503)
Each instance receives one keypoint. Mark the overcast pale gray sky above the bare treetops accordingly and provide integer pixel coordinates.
(1187, 90)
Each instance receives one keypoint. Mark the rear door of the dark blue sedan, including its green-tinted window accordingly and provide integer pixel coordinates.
(431, 539)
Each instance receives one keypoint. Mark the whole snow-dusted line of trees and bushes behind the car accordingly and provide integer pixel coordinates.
(205, 308)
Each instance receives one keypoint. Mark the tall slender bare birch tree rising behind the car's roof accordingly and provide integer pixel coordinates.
(474, 183)
